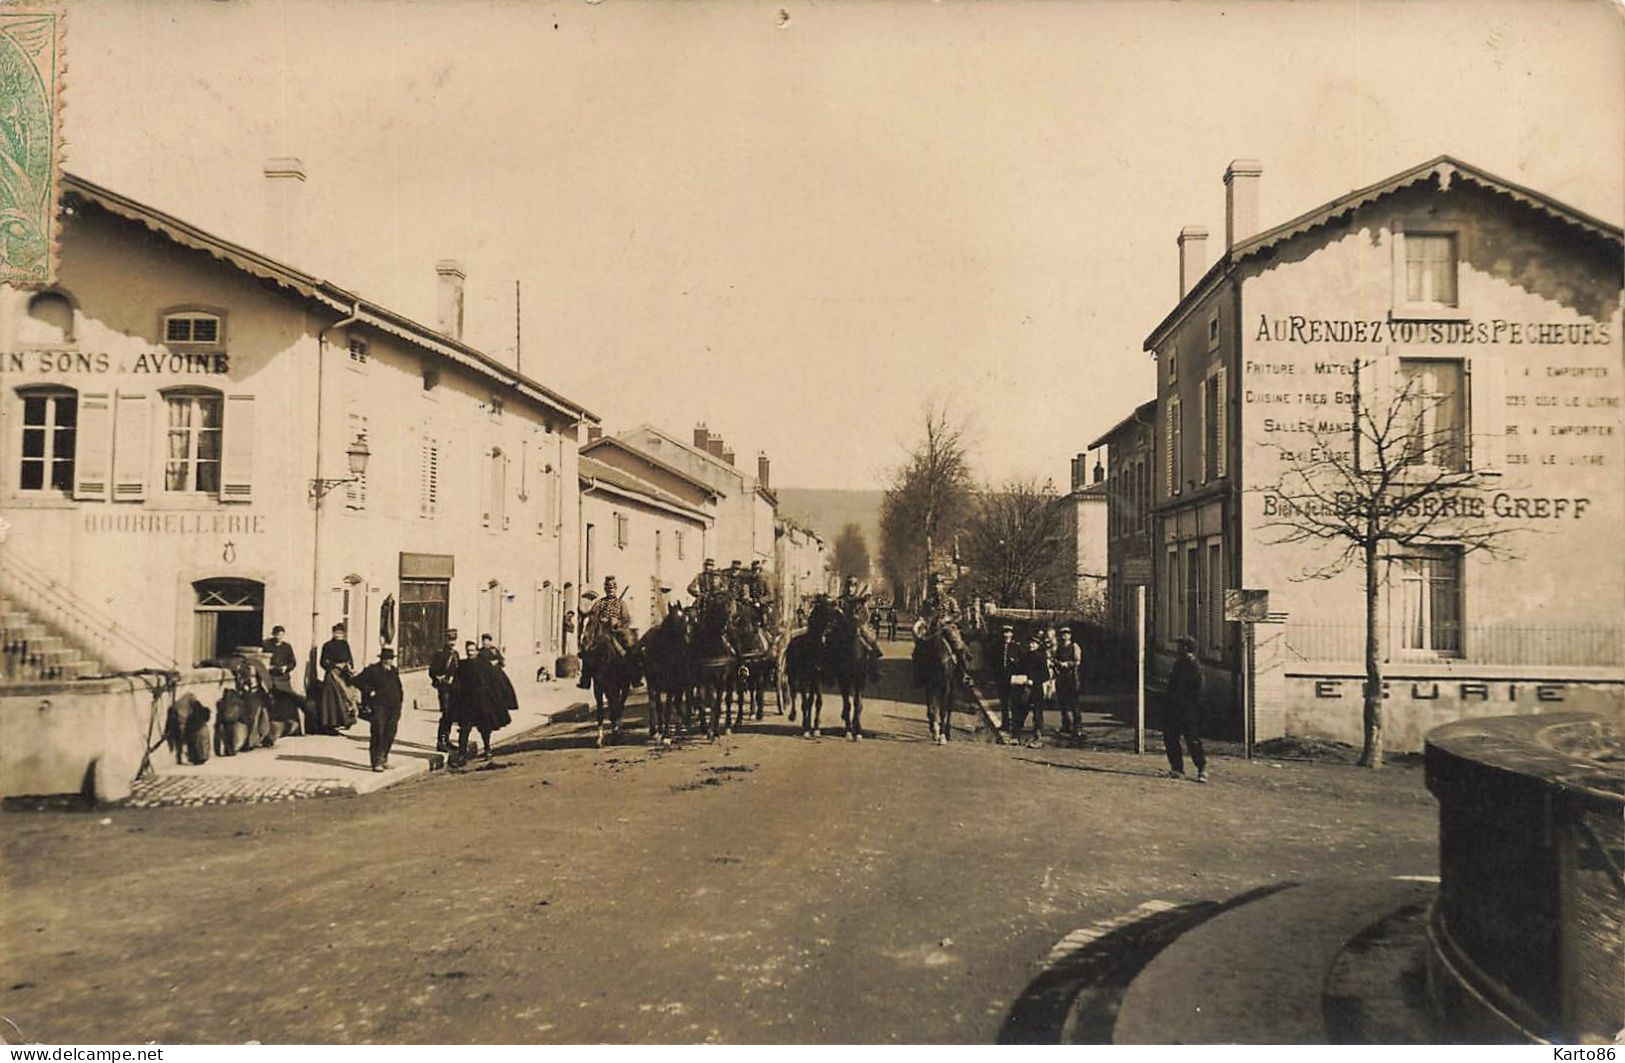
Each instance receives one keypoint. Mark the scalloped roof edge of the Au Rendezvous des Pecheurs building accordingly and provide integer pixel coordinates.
(1444, 170)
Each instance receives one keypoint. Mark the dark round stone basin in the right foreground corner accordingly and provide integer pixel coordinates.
(1527, 934)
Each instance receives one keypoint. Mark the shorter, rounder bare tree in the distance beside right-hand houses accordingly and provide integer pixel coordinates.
(1015, 545)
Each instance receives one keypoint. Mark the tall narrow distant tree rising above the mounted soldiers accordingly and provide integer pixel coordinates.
(929, 500)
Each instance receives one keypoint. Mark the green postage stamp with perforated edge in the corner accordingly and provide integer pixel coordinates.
(30, 142)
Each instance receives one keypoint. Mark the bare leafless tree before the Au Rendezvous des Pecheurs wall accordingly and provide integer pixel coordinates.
(1395, 479)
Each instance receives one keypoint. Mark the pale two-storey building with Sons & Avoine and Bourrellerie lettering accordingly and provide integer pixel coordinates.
(176, 428)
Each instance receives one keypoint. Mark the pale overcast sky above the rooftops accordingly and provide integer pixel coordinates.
(797, 220)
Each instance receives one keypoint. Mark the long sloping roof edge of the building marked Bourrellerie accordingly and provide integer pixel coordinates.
(326, 293)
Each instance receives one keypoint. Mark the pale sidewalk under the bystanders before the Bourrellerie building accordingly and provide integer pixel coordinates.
(339, 765)
